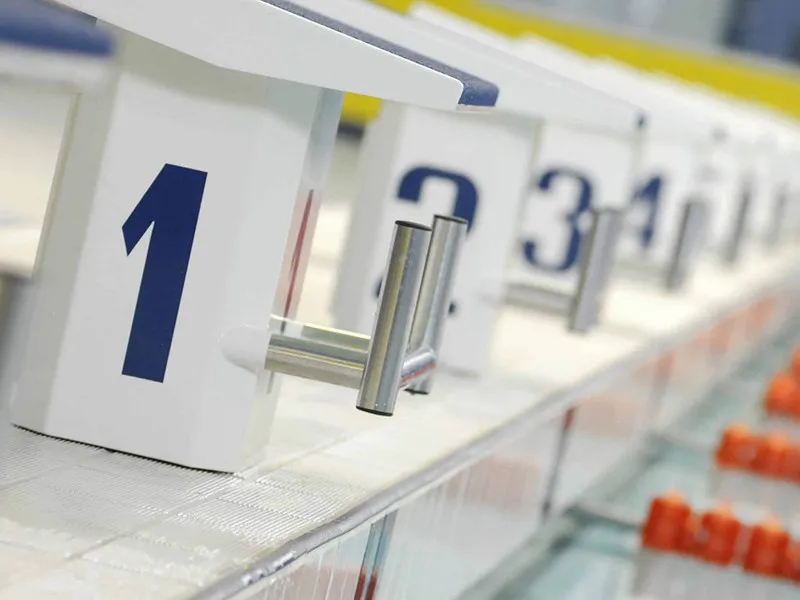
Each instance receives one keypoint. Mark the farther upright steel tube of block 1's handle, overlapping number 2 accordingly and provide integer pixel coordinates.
(436, 289)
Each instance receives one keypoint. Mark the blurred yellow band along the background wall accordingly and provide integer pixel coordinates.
(773, 87)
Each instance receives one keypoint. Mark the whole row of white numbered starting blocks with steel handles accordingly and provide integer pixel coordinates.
(582, 213)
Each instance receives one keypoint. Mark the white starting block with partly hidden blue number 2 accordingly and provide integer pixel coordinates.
(417, 162)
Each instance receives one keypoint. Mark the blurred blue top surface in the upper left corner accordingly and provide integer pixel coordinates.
(39, 25)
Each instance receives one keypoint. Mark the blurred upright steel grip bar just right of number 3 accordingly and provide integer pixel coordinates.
(597, 263)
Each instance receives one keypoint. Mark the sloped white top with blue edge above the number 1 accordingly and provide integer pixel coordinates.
(279, 39)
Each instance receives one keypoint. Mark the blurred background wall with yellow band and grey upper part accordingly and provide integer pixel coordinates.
(746, 48)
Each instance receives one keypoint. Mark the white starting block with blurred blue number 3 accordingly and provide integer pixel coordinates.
(578, 169)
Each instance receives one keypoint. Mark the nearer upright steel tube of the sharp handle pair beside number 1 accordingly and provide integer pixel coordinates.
(396, 305)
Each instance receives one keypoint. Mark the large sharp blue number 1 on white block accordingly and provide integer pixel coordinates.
(170, 207)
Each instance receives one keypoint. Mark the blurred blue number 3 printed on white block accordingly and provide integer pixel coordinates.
(573, 219)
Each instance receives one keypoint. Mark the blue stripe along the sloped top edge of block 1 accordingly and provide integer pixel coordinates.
(477, 92)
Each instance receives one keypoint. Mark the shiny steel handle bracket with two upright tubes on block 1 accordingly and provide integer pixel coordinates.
(407, 332)
